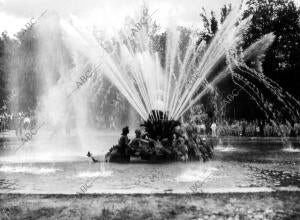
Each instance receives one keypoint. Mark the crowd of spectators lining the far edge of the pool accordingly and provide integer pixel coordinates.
(20, 121)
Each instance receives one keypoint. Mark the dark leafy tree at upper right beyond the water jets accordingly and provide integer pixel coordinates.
(283, 58)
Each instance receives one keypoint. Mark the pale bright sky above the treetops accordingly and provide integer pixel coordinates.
(104, 14)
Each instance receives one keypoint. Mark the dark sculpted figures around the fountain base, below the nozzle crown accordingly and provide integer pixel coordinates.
(186, 144)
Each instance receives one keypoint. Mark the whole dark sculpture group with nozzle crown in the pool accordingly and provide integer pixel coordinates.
(161, 140)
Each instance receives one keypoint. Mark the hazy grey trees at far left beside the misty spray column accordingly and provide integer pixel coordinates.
(25, 81)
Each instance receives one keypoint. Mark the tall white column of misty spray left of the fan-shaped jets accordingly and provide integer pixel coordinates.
(63, 54)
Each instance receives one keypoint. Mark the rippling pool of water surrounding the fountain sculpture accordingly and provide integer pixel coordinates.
(239, 165)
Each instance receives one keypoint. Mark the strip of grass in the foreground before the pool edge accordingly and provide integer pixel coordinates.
(274, 205)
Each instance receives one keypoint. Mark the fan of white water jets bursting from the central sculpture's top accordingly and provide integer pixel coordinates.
(135, 68)
